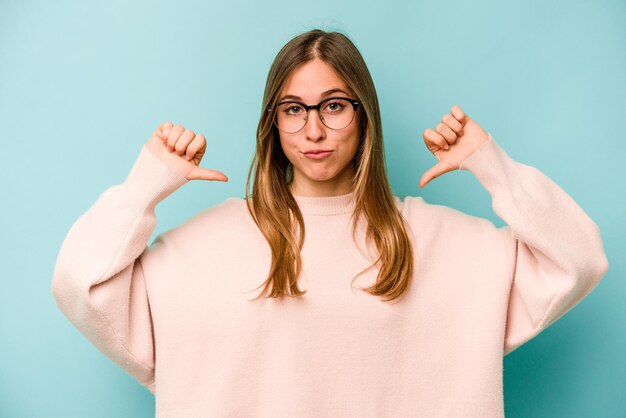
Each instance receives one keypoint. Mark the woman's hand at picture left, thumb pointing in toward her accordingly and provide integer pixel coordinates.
(182, 150)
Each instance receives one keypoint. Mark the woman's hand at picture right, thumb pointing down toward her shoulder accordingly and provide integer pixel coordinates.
(452, 141)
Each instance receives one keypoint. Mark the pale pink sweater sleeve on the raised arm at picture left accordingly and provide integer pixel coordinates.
(98, 282)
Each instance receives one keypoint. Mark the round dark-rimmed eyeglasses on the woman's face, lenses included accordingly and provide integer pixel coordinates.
(334, 112)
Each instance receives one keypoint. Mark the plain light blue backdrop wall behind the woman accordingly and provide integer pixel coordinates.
(83, 85)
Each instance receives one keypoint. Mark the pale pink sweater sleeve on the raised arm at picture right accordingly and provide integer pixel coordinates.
(554, 249)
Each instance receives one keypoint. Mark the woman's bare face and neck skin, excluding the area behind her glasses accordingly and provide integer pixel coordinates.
(329, 174)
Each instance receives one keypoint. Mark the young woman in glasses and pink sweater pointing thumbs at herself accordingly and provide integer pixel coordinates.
(441, 296)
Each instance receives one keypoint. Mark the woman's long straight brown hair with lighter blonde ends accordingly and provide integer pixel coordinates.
(275, 210)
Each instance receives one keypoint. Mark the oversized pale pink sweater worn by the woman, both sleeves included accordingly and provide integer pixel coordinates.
(176, 316)
